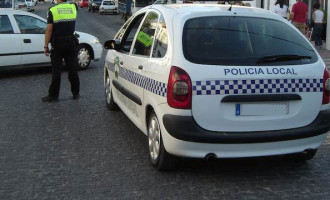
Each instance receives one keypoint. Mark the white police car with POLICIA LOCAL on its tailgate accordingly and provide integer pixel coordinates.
(207, 81)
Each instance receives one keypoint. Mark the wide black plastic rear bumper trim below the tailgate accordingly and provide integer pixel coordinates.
(185, 128)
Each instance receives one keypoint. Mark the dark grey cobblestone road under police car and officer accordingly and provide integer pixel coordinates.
(79, 150)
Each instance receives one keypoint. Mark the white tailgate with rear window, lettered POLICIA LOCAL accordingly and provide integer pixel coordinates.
(249, 76)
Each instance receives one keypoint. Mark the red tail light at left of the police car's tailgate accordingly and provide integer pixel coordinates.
(179, 89)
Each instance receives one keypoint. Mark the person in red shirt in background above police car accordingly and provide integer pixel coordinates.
(298, 15)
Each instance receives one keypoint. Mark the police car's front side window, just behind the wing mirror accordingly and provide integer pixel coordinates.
(128, 35)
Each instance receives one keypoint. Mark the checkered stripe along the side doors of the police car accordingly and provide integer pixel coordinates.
(149, 84)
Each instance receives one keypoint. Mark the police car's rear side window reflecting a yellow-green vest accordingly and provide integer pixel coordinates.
(145, 37)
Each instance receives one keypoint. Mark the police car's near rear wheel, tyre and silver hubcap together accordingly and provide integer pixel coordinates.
(159, 157)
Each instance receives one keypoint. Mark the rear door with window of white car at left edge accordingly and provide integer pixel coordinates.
(10, 51)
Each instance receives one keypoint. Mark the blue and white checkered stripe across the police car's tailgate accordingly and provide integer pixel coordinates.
(260, 86)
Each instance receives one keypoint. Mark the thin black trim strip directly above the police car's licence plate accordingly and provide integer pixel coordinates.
(263, 97)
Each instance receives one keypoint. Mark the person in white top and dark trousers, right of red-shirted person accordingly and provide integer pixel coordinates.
(318, 25)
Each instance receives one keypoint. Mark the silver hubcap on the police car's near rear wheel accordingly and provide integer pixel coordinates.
(154, 138)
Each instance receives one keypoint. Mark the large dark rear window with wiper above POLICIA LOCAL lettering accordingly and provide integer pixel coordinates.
(243, 41)
